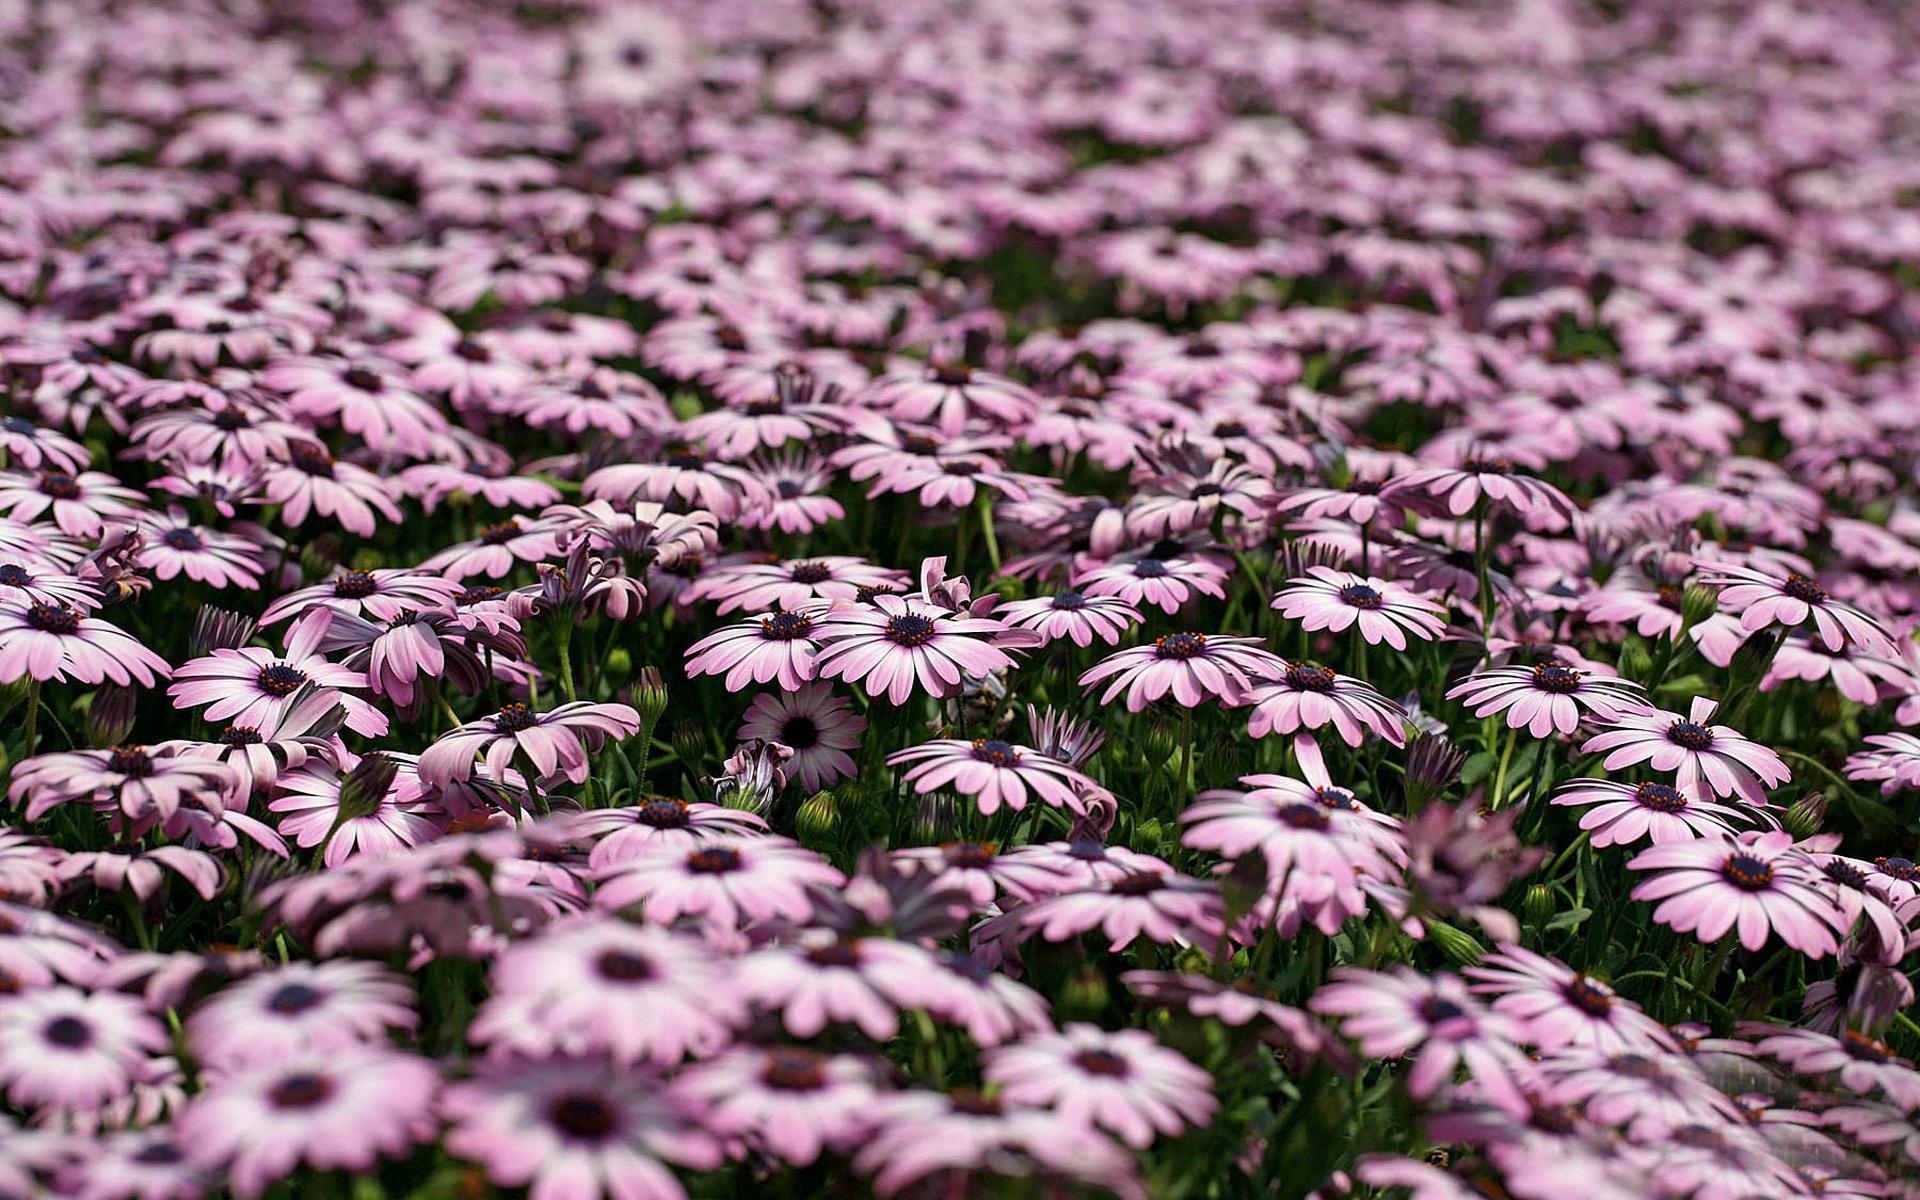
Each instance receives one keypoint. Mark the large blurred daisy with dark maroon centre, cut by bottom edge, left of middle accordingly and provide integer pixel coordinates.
(577, 1130)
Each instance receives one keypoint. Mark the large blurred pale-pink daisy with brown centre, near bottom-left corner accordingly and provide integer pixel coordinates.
(337, 1111)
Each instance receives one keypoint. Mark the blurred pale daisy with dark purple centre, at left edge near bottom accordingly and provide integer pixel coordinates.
(68, 1051)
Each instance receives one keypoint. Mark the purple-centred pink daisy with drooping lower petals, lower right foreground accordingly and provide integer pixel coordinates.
(1403, 1013)
